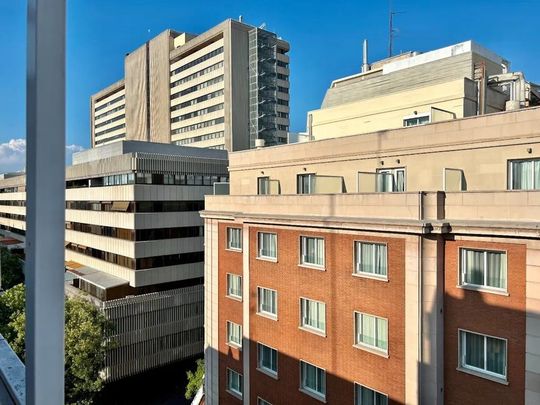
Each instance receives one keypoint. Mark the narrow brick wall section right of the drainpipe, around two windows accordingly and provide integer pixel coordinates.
(487, 313)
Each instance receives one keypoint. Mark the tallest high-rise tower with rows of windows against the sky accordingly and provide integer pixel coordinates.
(222, 89)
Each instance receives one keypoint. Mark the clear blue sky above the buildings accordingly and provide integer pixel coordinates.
(325, 39)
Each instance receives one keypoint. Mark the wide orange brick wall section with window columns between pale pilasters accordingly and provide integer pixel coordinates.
(343, 293)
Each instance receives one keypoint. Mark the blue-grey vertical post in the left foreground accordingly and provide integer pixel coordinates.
(45, 191)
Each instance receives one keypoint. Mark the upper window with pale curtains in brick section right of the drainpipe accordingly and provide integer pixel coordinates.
(483, 268)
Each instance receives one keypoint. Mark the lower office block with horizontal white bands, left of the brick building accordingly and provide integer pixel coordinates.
(134, 244)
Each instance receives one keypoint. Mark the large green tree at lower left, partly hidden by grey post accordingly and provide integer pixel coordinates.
(85, 342)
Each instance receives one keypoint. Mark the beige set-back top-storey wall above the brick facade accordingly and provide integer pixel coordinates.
(480, 146)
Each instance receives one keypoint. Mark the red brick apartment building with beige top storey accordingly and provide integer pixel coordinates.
(396, 267)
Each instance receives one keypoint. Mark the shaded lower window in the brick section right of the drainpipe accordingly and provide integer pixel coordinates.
(482, 353)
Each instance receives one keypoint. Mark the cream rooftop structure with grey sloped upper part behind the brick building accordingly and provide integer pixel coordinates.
(413, 88)
